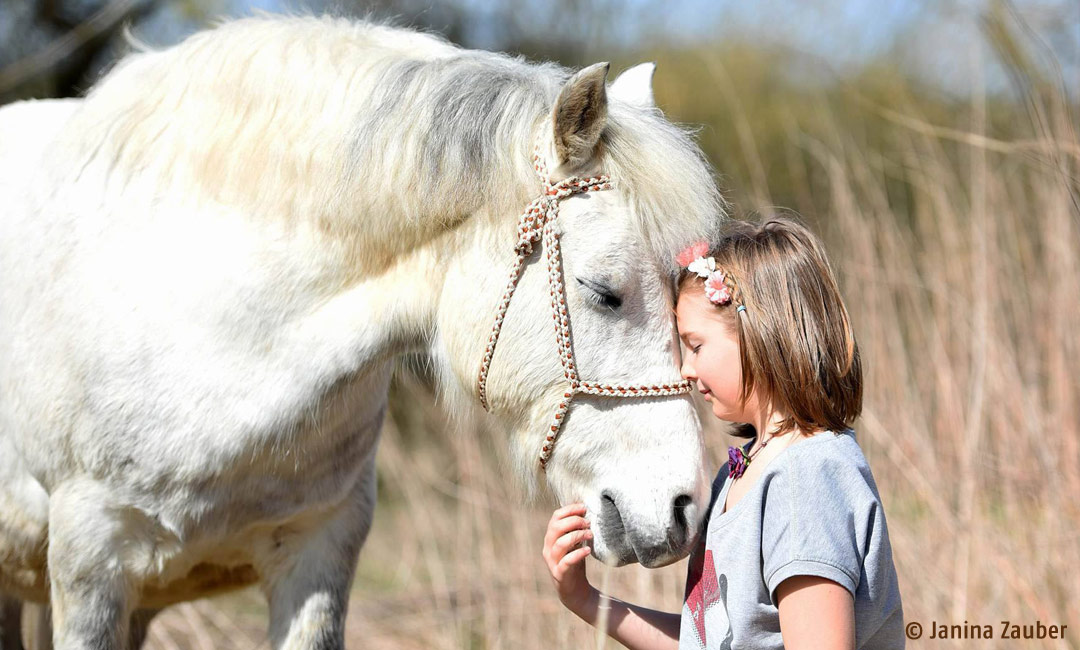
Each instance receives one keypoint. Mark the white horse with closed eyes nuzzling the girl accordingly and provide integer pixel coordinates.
(209, 265)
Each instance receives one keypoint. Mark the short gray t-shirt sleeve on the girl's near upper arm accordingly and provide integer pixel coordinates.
(817, 521)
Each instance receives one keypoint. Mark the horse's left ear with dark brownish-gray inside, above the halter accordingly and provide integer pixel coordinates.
(579, 116)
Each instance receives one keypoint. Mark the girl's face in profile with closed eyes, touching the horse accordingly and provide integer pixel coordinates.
(711, 357)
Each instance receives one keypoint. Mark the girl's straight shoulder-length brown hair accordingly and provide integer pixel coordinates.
(795, 338)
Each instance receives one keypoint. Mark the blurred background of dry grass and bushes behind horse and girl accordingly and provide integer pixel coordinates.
(953, 216)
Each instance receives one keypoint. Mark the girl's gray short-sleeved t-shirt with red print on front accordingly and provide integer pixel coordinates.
(815, 511)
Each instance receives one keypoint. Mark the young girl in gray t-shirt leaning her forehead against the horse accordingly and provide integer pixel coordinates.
(794, 552)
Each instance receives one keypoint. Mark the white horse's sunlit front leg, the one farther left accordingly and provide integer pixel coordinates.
(91, 589)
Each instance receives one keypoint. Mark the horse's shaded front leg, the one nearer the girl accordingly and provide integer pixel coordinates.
(309, 601)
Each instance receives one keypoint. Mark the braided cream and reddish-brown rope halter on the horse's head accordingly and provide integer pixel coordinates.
(537, 223)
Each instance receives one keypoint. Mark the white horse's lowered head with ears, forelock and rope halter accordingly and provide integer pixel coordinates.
(587, 319)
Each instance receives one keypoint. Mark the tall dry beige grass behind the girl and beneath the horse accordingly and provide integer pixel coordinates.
(958, 252)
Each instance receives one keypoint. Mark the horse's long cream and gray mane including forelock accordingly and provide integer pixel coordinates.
(383, 137)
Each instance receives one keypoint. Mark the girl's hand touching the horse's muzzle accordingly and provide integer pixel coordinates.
(565, 553)
